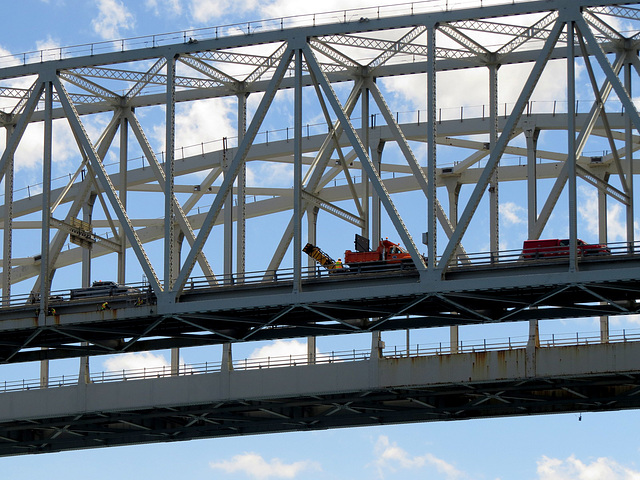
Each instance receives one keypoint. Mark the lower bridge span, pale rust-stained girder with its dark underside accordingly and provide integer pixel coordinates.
(588, 378)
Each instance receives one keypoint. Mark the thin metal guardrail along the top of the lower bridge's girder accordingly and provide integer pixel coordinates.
(418, 350)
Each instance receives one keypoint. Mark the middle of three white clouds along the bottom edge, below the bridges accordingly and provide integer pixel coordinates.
(390, 458)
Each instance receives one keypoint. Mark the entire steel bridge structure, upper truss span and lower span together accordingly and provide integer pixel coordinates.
(189, 213)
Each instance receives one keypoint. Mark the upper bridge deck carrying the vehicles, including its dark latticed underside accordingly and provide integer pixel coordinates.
(332, 305)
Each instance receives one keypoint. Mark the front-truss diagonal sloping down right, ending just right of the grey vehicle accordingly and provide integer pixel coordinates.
(105, 180)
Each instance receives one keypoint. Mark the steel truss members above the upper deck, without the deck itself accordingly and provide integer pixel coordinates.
(315, 61)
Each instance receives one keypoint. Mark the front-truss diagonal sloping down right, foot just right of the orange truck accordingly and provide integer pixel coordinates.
(368, 165)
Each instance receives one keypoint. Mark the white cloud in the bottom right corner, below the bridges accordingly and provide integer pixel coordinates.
(574, 469)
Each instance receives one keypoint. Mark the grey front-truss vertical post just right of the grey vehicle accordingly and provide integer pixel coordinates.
(169, 224)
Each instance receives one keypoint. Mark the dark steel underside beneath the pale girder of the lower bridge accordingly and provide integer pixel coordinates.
(592, 393)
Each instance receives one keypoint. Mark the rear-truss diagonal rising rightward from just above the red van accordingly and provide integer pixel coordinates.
(581, 141)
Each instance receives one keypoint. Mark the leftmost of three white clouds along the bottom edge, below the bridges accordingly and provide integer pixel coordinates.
(255, 466)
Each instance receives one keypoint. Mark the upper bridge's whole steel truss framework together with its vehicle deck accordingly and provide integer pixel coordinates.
(334, 66)
